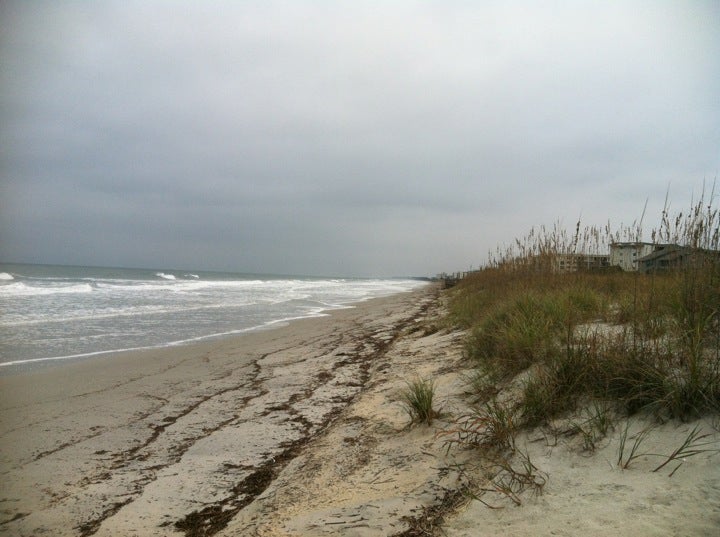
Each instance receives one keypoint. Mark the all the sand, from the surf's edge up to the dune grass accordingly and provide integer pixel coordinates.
(298, 431)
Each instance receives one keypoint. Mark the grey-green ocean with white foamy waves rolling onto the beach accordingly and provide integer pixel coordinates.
(50, 313)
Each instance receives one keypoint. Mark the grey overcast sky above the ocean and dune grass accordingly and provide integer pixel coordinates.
(344, 138)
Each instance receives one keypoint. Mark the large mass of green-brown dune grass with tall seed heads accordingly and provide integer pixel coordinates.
(646, 340)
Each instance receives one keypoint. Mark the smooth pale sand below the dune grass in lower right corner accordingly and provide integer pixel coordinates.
(590, 494)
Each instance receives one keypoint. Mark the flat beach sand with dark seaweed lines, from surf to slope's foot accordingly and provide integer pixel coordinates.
(185, 439)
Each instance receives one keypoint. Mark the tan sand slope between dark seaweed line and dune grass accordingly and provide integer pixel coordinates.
(370, 470)
